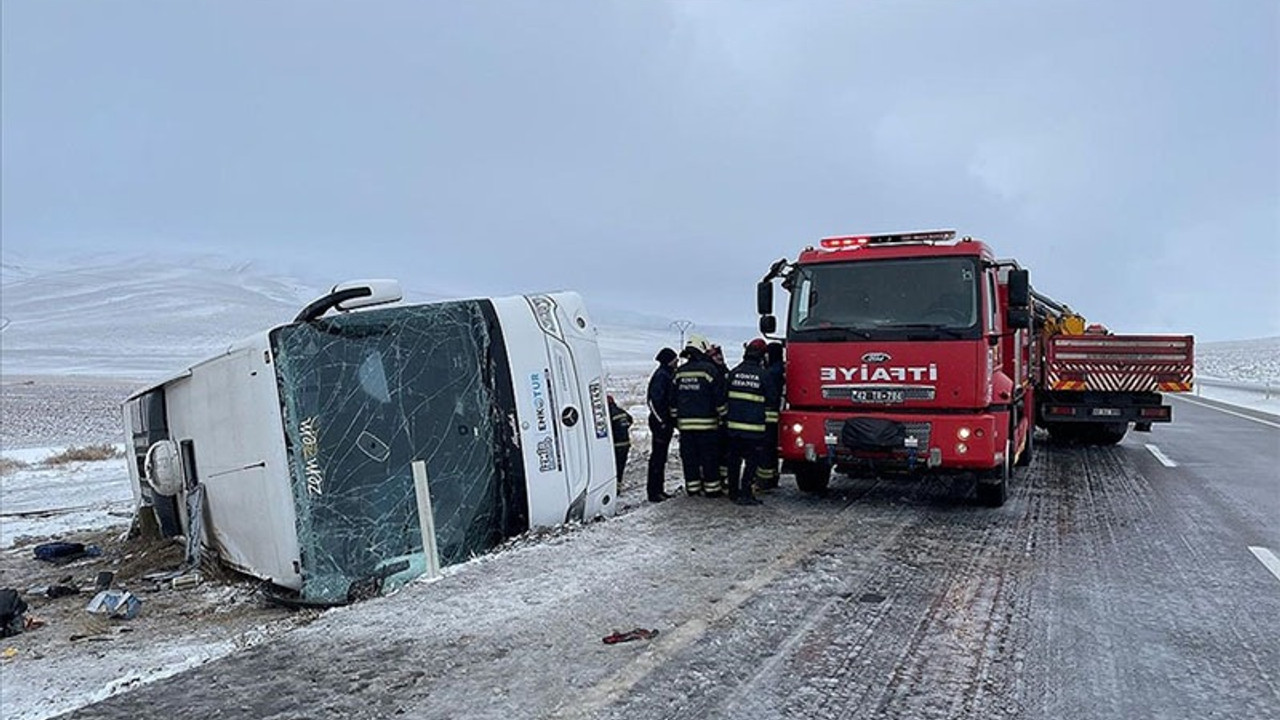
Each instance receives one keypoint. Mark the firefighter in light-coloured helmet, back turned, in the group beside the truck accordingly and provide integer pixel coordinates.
(700, 405)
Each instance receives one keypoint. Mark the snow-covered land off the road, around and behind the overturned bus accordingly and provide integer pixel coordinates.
(77, 343)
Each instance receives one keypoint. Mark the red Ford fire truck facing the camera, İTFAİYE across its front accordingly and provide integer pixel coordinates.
(904, 353)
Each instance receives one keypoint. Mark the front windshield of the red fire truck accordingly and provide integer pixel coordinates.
(908, 299)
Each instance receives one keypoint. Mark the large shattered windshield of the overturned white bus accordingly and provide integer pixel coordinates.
(364, 397)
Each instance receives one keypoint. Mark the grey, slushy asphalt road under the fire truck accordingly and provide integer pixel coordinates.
(1116, 584)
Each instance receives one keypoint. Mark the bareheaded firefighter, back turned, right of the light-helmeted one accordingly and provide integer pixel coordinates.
(751, 391)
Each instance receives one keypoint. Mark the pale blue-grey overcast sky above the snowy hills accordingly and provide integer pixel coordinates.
(660, 156)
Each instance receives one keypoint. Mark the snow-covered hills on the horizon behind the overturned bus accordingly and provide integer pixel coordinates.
(138, 317)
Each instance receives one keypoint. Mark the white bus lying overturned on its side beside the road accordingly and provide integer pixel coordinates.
(299, 454)
